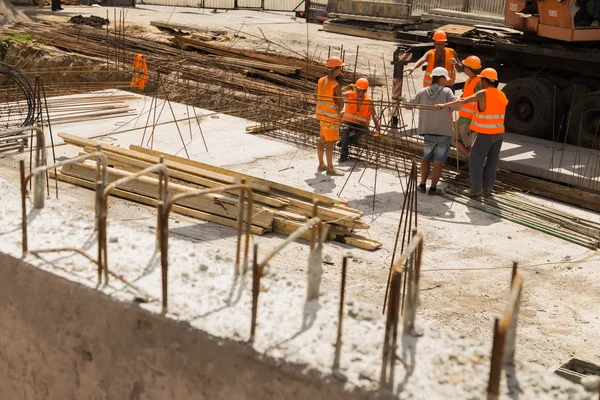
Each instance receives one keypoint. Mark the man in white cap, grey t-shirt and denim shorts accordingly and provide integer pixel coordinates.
(435, 127)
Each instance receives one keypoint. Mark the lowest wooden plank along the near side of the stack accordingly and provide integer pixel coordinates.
(255, 230)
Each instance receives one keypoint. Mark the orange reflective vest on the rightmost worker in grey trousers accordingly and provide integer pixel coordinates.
(490, 121)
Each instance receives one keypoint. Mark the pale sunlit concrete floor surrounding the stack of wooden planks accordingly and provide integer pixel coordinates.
(467, 256)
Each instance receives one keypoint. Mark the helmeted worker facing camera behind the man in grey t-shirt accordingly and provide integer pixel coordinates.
(440, 56)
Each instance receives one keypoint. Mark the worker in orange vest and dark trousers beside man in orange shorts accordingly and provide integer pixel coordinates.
(357, 116)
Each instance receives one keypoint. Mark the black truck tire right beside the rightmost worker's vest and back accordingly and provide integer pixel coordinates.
(530, 108)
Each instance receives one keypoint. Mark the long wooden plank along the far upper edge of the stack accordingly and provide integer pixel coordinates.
(270, 184)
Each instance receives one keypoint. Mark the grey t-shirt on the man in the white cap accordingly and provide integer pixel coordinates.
(435, 122)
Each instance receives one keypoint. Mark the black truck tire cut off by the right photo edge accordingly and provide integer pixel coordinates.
(584, 126)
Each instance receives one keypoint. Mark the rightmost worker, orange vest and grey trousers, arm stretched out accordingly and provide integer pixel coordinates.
(488, 122)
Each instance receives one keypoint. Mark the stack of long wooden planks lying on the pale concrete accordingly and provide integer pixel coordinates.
(277, 207)
